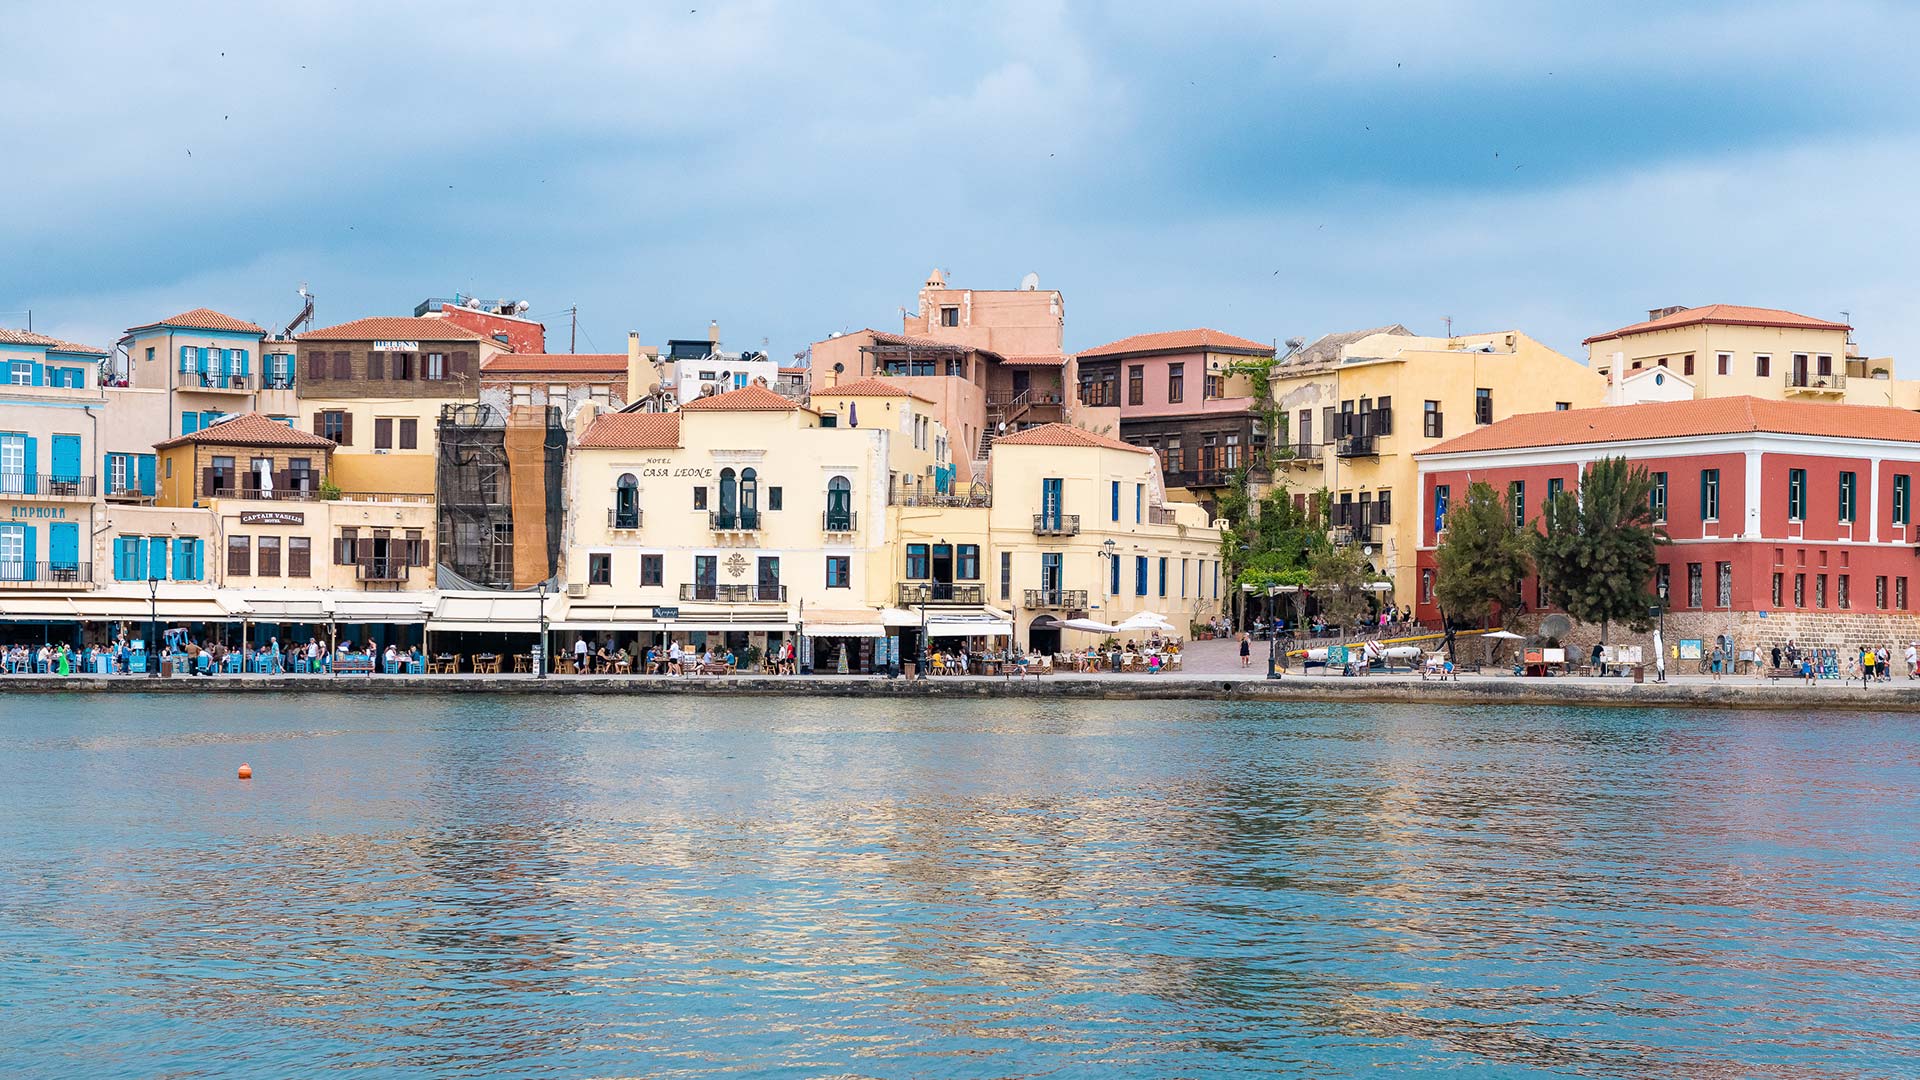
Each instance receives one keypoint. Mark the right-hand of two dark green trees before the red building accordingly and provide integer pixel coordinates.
(1596, 551)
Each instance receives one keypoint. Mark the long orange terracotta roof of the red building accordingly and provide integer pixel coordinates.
(1692, 418)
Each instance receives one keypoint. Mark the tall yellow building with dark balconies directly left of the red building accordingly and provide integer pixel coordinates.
(1360, 408)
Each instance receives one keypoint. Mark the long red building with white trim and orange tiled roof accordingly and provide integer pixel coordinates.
(1788, 520)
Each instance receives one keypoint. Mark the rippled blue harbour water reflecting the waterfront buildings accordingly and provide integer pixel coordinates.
(466, 887)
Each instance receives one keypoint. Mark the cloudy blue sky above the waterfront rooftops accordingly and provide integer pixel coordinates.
(792, 170)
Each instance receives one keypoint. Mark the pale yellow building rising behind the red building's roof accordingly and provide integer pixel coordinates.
(1727, 351)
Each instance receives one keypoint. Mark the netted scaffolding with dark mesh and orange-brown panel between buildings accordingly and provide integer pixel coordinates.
(498, 481)
